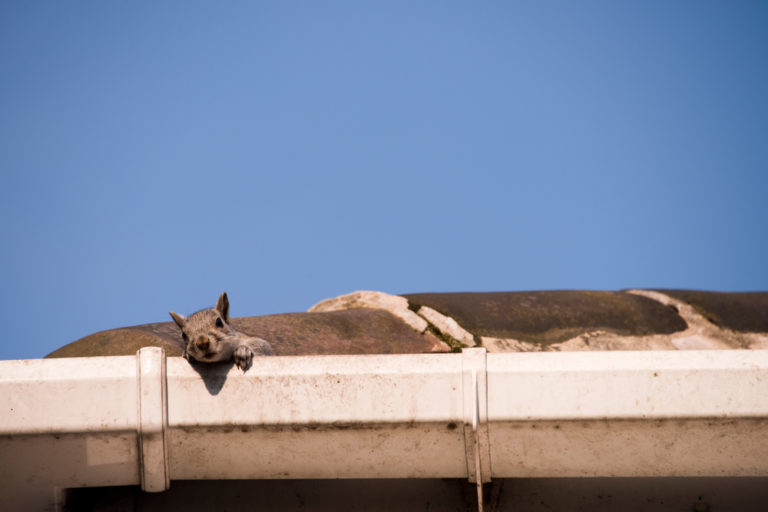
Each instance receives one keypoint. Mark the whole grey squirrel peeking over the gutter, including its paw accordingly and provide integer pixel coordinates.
(209, 337)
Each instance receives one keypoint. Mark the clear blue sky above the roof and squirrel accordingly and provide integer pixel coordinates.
(155, 154)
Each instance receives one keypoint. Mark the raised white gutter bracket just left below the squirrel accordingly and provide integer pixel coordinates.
(152, 427)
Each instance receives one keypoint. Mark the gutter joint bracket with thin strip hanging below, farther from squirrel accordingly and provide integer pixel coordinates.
(476, 436)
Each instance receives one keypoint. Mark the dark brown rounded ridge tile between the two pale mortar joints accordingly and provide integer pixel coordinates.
(546, 317)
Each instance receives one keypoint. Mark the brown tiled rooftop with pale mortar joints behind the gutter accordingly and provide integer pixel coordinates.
(369, 322)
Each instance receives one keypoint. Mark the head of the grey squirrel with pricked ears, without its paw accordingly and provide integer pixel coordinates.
(207, 334)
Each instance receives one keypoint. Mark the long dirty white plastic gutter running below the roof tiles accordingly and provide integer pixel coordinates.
(85, 422)
